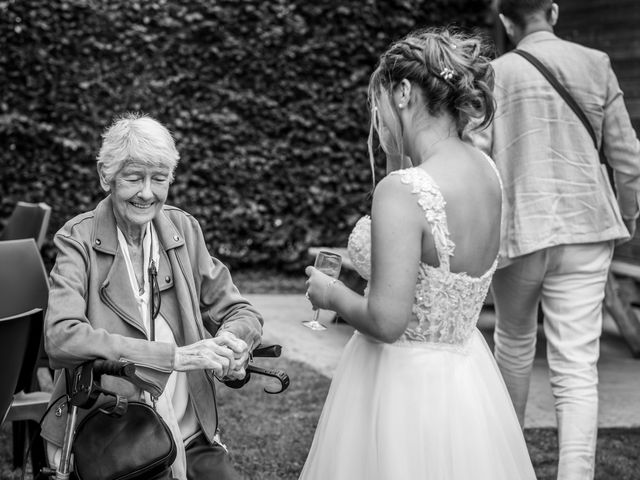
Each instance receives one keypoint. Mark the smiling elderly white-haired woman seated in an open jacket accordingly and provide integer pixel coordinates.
(101, 303)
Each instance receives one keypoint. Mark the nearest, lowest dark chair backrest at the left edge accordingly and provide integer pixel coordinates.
(19, 341)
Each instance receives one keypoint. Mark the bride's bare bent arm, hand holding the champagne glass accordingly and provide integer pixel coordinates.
(397, 225)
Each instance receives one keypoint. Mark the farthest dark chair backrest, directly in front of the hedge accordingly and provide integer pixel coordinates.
(28, 220)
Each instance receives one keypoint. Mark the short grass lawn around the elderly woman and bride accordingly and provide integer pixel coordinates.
(270, 435)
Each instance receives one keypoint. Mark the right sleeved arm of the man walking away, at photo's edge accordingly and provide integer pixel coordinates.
(622, 149)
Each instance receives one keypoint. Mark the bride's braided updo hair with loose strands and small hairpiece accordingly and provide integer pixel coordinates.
(452, 71)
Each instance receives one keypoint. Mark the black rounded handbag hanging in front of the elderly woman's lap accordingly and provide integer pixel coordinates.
(132, 446)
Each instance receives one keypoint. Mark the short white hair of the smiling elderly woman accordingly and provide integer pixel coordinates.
(139, 138)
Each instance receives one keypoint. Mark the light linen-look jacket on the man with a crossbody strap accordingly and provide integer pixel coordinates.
(555, 190)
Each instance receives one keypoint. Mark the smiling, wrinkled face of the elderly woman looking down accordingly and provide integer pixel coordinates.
(139, 192)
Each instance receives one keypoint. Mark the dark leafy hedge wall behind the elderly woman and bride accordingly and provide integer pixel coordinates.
(267, 101)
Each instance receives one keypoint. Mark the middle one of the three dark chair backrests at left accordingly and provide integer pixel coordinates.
(24, 283)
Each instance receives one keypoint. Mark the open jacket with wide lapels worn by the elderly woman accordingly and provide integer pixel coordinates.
(92, 312)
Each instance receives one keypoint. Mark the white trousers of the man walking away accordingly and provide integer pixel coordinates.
(569, 282)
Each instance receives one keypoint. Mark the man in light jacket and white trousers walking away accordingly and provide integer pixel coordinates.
(560, 219)
